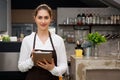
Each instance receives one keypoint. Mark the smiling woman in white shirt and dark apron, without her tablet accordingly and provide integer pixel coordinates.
(43, 40)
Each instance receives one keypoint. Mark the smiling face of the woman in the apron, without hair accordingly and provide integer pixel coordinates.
(42, 19)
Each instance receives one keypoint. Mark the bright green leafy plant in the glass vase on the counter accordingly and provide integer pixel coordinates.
(96, 38)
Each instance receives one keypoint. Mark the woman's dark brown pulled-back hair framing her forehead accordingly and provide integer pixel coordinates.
(45, 7)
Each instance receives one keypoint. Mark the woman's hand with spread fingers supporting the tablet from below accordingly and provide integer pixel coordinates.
(46, 65)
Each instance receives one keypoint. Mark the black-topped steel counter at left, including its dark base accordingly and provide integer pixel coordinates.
(9, 54)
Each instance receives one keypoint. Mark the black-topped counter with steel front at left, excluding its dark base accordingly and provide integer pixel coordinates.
(9, 54)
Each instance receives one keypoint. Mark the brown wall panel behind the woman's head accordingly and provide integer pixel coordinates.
(25, 15)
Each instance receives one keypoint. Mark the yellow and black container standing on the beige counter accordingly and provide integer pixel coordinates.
(78, 50)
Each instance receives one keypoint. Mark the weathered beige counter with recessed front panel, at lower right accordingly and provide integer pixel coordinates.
(80, 67)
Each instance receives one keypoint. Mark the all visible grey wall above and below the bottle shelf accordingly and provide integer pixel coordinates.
(63, 13)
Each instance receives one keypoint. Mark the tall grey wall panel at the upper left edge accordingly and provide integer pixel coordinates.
(6, 22)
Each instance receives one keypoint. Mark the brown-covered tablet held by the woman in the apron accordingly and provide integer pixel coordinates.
(41, 56)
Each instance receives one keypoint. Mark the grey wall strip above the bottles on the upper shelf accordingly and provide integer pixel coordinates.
(63, 13)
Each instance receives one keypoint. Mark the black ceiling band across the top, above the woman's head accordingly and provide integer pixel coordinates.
(32, 4)
